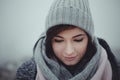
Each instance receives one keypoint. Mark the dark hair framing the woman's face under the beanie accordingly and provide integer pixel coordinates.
(53, 31)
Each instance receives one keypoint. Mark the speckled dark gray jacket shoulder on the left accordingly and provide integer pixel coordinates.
(27, 70)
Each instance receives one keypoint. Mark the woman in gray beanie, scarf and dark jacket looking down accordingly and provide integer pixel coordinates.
(68, 49)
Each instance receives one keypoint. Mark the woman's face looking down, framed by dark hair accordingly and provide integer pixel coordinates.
(70, 45)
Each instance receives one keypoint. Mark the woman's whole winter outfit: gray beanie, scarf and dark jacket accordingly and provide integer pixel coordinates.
(101, 66)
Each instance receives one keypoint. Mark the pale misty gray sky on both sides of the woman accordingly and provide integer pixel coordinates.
(22, 22)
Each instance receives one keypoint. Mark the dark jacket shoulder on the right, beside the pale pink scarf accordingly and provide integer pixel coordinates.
(112, 58)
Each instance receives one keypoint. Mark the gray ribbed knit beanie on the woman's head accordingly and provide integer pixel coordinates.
(72, 12)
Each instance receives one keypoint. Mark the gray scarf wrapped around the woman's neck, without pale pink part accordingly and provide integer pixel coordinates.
(52, 70)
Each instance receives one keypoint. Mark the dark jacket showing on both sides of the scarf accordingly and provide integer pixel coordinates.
(28, 70)
